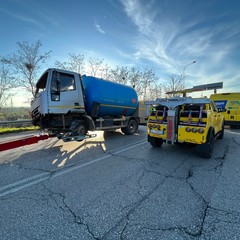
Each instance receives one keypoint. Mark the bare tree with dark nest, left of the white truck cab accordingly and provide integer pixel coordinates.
(26, 62)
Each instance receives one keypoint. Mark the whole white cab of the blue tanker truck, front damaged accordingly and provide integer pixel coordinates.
(58, 92)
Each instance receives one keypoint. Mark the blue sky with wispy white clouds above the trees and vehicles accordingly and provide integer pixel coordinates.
(166, 35)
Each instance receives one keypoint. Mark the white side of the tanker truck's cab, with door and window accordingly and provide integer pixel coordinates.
(65, 93)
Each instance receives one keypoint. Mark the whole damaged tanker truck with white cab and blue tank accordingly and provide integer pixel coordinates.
(70, 105)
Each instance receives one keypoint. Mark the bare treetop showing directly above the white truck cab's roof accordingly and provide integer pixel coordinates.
(75, 63)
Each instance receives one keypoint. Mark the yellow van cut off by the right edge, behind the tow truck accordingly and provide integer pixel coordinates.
(229, 103)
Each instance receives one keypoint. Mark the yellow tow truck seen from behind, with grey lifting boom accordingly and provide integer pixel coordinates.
(185, 120)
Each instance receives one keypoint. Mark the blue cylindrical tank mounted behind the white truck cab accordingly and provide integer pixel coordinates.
(113, 99)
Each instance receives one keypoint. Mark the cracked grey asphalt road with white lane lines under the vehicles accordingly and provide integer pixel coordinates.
(119, 187)
